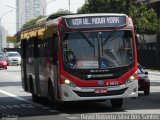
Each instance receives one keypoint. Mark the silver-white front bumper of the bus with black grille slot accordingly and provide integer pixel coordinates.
(88, 93)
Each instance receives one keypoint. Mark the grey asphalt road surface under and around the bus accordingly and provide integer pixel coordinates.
(15, 104)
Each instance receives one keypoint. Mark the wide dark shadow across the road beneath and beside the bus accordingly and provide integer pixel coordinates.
(10, 105)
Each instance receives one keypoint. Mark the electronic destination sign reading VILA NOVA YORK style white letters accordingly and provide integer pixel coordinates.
(92, 22)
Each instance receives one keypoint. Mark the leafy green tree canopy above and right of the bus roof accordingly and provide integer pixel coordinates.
(145, 19)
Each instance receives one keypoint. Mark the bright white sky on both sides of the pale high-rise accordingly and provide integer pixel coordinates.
(9, 19)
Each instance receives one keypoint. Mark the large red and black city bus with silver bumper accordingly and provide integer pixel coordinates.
(80, 57)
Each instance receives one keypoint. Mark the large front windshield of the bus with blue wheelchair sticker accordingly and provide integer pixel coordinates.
(97, 49)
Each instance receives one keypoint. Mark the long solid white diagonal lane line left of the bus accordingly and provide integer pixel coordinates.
(25, 100)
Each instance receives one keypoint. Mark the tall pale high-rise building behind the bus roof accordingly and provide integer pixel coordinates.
(27, 10)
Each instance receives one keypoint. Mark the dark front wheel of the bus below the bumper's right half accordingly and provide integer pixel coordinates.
(117, 103)
